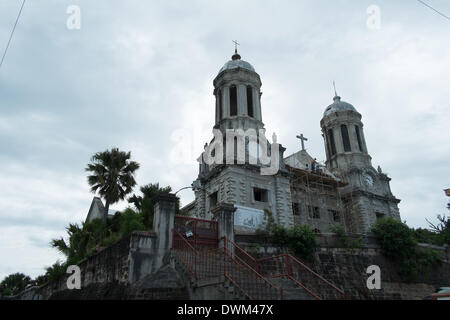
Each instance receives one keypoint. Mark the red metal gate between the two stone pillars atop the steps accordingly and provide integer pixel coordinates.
(198, 232)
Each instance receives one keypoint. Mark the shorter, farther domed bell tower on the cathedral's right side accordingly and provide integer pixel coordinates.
(368, 196)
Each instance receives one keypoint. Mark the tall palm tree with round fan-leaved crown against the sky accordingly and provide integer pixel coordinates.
(112, 175)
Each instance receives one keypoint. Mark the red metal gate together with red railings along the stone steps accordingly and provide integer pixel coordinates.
(195, 241)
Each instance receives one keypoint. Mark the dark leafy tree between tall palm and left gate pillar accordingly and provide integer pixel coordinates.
(145, 204)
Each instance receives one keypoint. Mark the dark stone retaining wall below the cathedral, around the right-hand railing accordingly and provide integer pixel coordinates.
(347, 268)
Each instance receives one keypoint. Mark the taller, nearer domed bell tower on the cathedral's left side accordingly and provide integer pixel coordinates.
(242, 178)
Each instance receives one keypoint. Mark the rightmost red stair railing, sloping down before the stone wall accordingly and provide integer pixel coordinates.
(285, 265)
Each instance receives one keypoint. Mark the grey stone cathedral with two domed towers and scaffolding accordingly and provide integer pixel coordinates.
(346, 190)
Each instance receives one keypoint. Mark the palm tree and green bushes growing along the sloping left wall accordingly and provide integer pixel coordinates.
(111, 175)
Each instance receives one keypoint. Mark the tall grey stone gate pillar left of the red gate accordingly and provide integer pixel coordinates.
(163, 223)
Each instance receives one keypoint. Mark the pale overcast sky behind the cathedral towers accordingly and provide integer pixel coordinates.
(138, 75)
